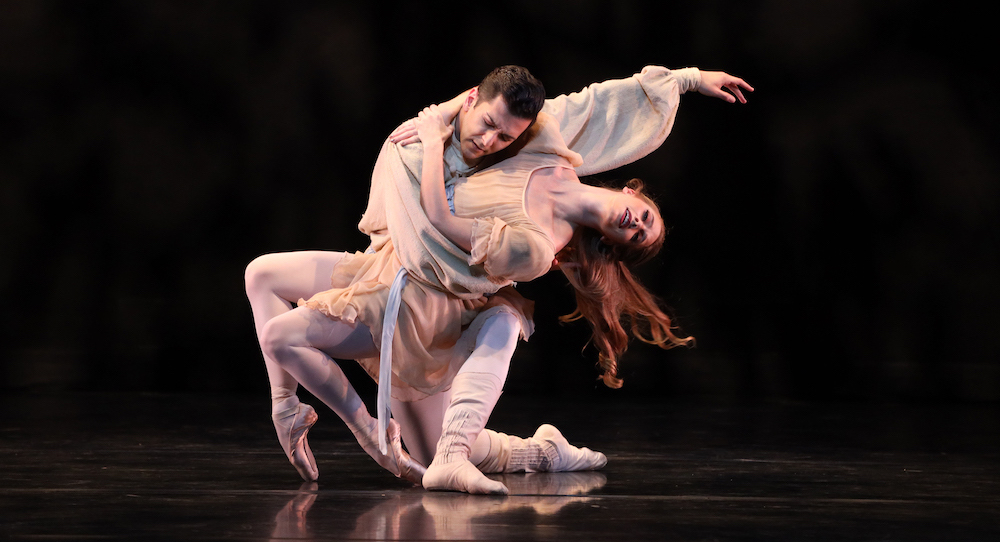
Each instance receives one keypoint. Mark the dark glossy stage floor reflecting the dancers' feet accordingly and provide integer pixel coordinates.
(200, 467)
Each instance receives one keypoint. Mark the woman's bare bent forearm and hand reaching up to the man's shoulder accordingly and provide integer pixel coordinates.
(433, 130)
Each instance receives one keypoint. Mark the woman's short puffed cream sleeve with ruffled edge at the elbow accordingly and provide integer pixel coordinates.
(510, 252)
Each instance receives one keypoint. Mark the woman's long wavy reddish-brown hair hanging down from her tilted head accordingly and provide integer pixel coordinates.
(608, 295)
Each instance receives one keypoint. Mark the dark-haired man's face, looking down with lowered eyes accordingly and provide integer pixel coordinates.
(487, 127)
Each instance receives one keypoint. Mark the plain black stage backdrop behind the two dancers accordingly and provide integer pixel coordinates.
(836, 238)
